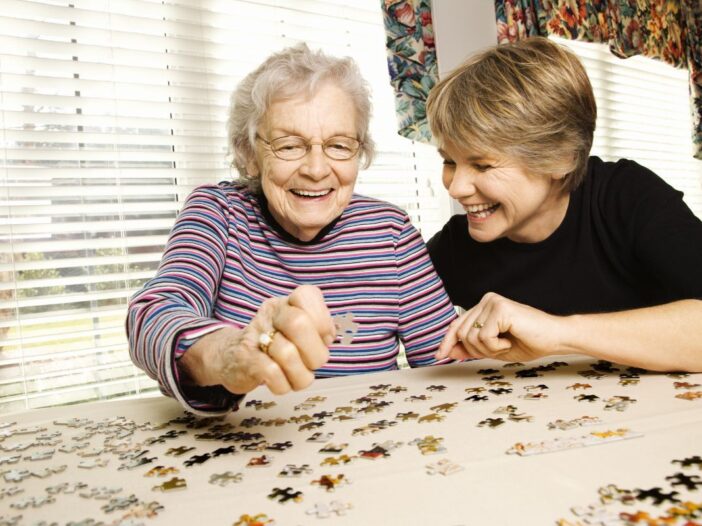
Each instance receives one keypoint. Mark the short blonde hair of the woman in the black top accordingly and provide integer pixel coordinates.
(530, 101)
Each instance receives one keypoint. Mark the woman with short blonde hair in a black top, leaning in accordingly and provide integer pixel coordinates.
(557, 252)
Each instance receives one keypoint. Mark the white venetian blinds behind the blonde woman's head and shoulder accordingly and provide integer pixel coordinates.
(643, 114)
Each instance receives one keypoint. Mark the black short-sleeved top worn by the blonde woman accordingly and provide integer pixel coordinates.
(628, 240)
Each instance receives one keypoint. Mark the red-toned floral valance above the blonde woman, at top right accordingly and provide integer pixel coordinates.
(669, 30)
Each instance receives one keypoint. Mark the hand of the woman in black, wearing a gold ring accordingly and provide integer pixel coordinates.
(500, 328)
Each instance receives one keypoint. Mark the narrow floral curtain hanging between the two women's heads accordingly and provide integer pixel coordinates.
(411, 62)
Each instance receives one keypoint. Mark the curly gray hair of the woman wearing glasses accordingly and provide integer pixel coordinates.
(286, 74)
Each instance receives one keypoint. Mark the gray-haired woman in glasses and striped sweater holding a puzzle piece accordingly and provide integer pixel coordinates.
(286, 274)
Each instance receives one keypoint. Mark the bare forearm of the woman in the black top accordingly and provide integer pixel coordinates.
(661, 338)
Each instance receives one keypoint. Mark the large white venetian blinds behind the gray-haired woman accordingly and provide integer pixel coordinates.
(111, 111)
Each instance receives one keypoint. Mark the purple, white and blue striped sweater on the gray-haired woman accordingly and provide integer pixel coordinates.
(226, 255)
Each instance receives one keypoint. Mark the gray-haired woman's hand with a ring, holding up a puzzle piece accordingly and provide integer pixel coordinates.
(301, 330)
